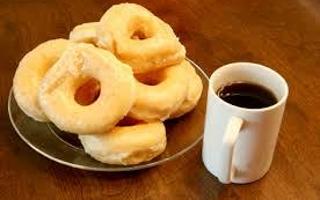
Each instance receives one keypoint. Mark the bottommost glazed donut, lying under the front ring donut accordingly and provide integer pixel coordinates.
(127, 145)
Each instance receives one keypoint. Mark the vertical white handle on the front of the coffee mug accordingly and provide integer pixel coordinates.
(229, 140)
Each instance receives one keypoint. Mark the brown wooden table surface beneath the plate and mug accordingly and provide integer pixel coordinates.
(283, 34)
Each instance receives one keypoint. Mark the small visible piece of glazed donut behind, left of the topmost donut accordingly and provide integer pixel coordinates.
(85, 32)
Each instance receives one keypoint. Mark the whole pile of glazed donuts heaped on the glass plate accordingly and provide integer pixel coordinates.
(113, 83)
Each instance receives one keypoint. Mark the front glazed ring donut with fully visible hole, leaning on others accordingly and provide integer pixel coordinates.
(79, 63)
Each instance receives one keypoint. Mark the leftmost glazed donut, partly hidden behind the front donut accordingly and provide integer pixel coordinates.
(30, 72)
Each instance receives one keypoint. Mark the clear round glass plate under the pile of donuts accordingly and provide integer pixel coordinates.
(65, 148)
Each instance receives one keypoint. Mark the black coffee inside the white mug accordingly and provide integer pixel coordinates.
(247, 95)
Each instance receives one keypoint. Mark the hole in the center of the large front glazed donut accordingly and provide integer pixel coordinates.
(88, 92)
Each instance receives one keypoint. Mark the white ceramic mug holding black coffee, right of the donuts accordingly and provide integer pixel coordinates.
(238, 142)
